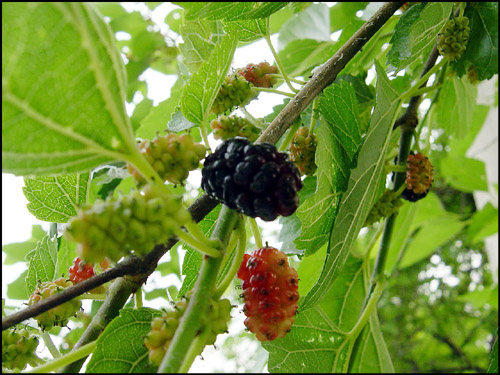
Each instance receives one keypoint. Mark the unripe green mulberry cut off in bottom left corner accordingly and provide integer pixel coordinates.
(18, 348)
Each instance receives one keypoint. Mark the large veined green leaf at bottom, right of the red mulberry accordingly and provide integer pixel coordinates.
(319, 341)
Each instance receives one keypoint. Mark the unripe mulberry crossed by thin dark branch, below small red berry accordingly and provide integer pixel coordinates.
(59, 315)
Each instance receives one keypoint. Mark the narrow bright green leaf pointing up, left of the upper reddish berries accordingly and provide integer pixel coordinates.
(202, 89)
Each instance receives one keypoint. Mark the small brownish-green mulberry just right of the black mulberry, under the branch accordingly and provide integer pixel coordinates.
(303, 150)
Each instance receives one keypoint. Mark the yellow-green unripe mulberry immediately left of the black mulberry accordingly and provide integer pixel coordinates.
(171, 156)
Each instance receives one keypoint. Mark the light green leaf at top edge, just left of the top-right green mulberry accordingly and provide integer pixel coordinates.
(424, 31)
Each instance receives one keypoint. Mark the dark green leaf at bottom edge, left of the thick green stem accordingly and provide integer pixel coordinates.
(120, 348)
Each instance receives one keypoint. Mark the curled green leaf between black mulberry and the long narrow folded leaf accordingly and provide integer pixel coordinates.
(339, 138)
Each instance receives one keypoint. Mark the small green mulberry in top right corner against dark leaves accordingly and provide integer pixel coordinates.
(453, 39)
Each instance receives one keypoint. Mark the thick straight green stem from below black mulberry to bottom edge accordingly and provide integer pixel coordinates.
(192, 318)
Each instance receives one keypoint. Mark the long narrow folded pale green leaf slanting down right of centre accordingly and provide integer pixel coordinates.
(363, 182)
